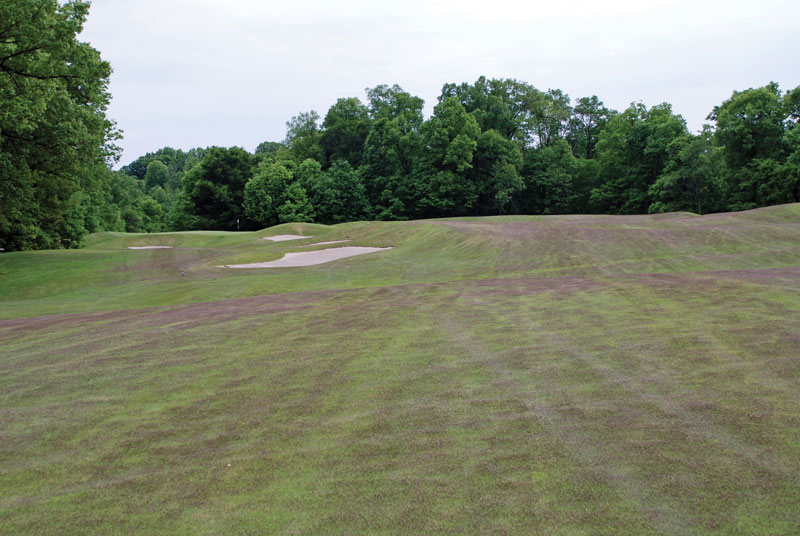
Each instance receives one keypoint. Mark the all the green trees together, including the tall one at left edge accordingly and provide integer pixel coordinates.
(495, 146)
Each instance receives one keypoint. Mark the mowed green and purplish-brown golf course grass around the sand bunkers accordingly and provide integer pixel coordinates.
(520, 375)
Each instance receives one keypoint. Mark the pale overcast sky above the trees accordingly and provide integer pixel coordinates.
(195, 73)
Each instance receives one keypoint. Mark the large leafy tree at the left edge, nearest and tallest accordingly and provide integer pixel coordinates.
(54, 135)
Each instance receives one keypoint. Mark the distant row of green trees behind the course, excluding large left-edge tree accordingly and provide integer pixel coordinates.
(496, 146)
